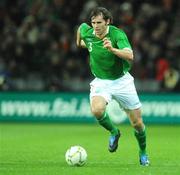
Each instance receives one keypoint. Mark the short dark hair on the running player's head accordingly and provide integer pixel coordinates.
(101, 11)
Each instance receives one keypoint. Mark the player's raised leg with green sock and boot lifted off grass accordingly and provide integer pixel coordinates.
(98, 108)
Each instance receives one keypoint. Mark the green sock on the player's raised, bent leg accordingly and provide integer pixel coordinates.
(107, 124)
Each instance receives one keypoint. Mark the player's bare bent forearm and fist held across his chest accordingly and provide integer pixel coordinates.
(125, 53)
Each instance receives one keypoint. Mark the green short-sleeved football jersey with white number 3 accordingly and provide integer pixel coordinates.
(103, 63)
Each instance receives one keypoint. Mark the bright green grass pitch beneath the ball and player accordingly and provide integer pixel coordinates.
(39, 149)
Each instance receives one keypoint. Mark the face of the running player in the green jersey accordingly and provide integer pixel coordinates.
(99, 25)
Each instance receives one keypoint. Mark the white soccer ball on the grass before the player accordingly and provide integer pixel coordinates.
(76, 156)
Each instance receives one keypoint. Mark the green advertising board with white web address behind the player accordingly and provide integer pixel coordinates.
(74, 107)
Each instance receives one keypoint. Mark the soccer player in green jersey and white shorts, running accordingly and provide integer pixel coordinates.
(111, 58)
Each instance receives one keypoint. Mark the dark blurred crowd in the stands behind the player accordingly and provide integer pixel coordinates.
(38, 50)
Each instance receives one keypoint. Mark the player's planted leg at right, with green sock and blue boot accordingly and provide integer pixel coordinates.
(140, 134)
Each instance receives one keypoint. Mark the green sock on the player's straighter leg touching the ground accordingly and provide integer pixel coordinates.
(141, 138)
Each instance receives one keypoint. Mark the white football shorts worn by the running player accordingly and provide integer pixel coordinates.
(122, 90)
